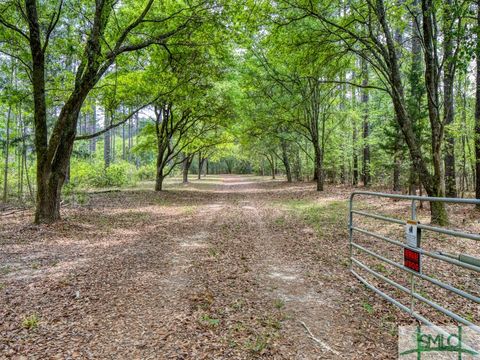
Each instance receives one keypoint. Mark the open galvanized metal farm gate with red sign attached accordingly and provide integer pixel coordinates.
(413, 255)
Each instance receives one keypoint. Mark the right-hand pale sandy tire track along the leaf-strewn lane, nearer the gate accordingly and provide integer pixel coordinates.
(286, 279)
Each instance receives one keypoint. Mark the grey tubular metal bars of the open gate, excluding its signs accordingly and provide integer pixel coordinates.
(463, 260)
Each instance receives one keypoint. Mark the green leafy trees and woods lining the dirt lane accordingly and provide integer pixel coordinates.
(362, 93)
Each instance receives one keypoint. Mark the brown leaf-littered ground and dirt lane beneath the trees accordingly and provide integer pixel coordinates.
(225, 267)
